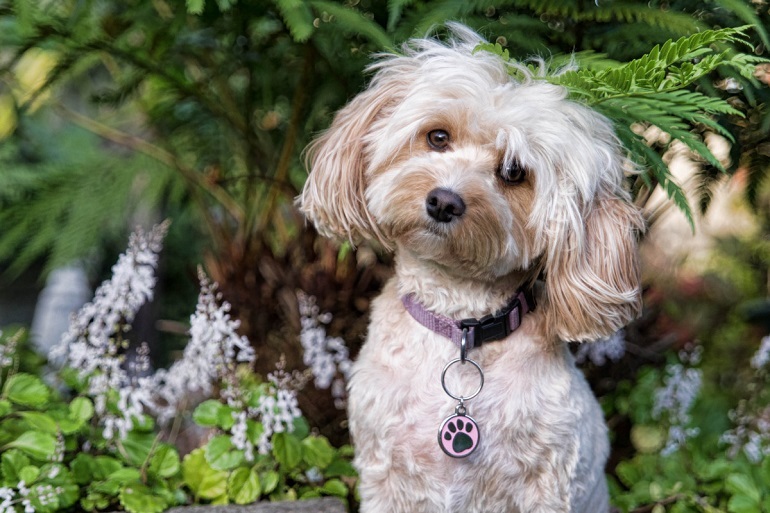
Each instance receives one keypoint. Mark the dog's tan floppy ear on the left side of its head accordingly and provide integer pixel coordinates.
(334, 196)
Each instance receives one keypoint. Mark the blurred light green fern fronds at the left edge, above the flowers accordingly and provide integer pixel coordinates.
(62, 210)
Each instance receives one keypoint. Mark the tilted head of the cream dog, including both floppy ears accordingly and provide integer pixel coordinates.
(449, 158)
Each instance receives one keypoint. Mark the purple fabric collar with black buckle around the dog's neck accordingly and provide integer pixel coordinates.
(490, 327)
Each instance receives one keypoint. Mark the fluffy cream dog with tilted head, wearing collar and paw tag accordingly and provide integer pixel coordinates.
(504, 204)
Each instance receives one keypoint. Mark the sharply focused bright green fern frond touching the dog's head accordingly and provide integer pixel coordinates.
(654, 89)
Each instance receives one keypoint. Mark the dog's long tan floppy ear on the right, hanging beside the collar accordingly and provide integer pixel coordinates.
(592, 275)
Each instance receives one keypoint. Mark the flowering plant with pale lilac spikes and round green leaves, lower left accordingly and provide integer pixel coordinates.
(103, 439)
